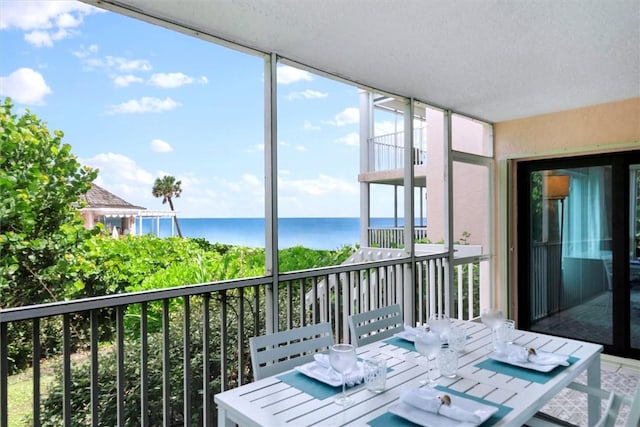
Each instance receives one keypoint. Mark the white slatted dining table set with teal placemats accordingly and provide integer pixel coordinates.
(291, 398)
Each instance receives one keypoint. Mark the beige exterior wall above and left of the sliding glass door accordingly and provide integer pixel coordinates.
(595, 129)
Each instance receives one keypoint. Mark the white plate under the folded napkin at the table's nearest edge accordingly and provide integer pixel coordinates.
(424, 418)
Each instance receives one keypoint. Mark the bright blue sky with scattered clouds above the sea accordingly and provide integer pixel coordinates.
(139, 102)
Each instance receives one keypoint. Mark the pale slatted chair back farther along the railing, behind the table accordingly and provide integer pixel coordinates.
(375, 324)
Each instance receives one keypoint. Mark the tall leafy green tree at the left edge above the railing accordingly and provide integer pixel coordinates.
(41, 183)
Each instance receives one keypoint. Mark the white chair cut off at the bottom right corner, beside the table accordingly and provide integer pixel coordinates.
(614, 402)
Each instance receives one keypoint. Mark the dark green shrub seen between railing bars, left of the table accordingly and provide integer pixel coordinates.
(81, 376)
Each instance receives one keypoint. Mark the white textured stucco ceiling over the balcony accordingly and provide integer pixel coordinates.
(494, 60)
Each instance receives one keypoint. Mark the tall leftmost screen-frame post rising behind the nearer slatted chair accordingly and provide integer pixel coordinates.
(271, 189)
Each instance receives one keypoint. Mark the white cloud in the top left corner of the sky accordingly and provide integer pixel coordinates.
(45, 21)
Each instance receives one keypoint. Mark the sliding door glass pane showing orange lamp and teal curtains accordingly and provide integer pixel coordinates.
(571, 253)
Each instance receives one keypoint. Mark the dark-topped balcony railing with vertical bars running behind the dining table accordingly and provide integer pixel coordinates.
(158, 357)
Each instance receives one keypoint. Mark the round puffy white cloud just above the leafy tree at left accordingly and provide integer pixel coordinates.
(25, 86)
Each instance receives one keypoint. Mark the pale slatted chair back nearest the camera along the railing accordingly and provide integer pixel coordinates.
(272, 354)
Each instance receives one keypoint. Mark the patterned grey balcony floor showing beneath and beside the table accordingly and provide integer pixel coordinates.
(619, 375)
